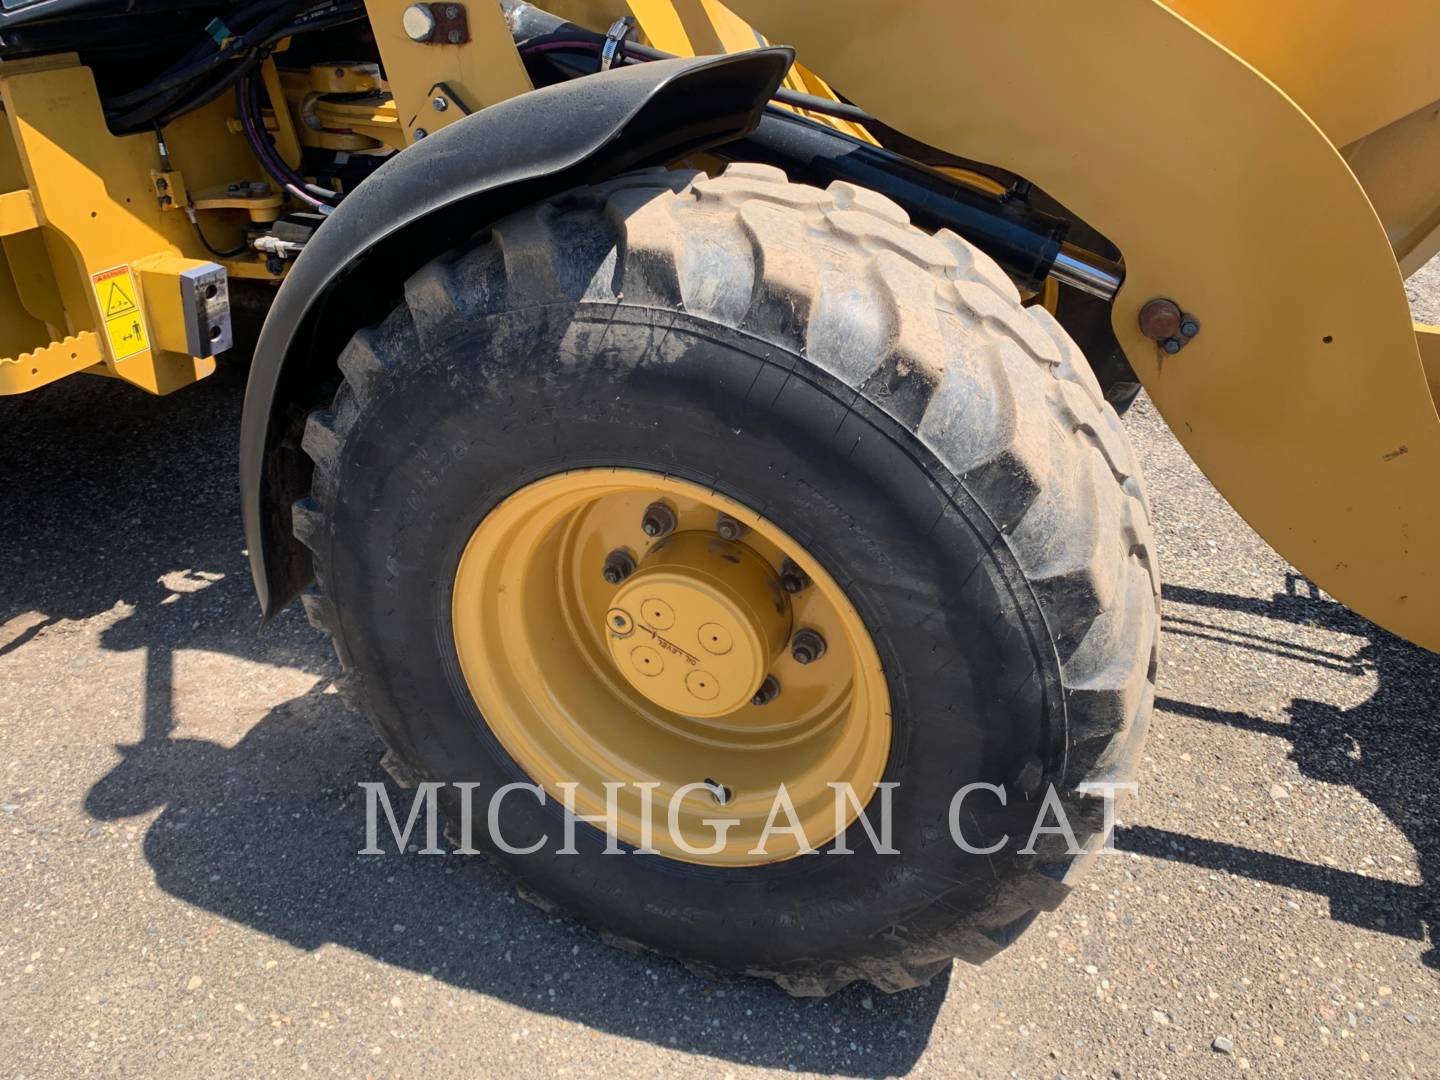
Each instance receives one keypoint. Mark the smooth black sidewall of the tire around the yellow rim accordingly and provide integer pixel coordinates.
(974, 682)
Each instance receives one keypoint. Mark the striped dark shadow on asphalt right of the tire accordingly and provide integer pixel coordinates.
(1387, 750)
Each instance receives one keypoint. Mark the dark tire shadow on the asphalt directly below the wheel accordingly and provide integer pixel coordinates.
(266, 834)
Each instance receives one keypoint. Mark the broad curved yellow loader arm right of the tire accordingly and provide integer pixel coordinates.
(1304, 400)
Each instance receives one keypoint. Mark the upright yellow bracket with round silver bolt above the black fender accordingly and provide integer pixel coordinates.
(480, 73)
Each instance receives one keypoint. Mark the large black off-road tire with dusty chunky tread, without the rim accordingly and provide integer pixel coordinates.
(883, 398)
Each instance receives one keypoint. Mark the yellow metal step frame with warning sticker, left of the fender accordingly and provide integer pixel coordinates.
(94, 210)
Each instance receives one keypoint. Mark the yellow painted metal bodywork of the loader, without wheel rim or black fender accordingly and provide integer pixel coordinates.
(1271, 168)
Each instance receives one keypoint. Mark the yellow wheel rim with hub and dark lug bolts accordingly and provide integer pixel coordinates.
(672, 666)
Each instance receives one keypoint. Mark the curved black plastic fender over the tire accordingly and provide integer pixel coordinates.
(418, 205)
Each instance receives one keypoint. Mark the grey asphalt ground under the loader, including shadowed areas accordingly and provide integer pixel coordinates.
(179, 817)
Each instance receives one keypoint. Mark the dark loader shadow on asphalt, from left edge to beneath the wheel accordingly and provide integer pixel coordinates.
(117, 492)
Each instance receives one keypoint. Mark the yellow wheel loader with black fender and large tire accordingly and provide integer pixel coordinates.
(669, 404)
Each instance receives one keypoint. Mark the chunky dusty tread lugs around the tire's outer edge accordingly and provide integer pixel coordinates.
(925, 328)
